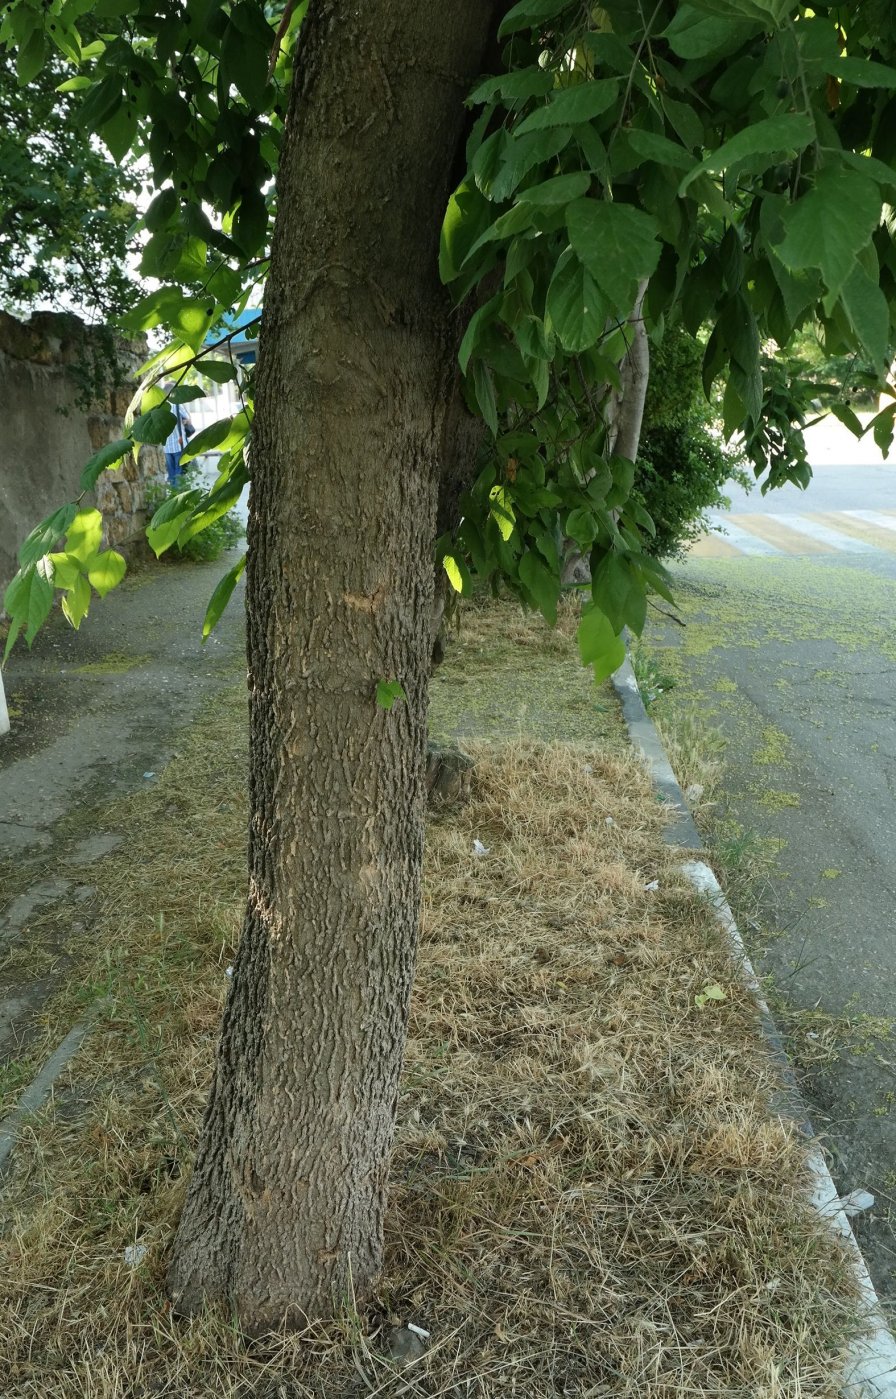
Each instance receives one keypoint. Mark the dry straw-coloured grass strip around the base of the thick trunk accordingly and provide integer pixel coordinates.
(590, 1195)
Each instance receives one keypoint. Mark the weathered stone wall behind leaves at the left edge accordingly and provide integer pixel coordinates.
(55, 413)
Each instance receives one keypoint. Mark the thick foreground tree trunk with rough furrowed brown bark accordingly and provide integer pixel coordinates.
(285, 1209)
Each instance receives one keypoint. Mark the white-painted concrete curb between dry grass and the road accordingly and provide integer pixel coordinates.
(871, 1363)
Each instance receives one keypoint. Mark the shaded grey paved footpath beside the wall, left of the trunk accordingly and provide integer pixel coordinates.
(94, 716)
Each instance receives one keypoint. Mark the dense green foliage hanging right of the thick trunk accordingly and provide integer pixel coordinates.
(733, 156)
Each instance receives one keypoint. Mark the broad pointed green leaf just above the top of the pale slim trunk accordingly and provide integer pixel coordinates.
(617, 244)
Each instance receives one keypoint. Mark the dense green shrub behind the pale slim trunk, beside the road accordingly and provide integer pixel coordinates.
(684, 464)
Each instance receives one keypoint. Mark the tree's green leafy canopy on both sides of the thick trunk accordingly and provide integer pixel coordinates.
(722, 166)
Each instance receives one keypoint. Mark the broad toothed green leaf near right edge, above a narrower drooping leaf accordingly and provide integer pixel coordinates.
(831, 226)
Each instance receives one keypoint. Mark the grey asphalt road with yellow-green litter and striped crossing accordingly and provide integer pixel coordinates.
(790, 653)
